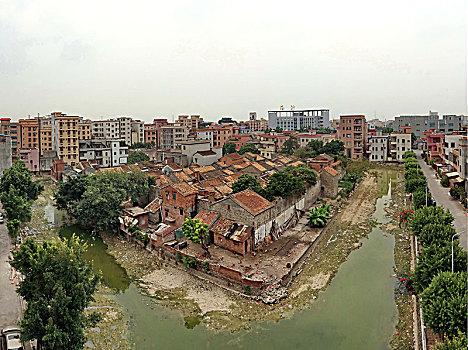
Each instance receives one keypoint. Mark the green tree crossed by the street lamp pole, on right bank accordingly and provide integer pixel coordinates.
(435, 259)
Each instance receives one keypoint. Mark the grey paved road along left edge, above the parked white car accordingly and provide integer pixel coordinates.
(9, 302)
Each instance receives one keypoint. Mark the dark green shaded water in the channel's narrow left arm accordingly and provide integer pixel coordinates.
(113, 275)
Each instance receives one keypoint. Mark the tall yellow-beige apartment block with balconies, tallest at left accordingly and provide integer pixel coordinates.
(65, 137)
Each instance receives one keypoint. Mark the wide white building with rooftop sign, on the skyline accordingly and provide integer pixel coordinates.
(299, 119)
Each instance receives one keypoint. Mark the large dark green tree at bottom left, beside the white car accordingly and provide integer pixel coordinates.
(58, 285)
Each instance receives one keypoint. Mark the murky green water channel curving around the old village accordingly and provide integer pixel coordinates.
(357, 310)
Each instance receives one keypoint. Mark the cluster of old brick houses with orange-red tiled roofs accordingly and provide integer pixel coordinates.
(240, 222)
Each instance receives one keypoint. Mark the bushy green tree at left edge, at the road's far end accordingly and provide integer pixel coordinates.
(20, 177)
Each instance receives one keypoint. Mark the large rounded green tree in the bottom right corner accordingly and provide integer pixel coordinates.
(444, 304)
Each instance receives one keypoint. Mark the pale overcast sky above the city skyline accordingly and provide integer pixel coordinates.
(153, 59)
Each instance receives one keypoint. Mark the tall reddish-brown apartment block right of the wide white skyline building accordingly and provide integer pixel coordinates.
(353, 133)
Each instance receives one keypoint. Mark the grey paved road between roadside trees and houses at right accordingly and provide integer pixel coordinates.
(442, 197)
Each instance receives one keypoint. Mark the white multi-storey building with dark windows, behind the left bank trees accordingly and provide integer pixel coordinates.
(106, 153)
